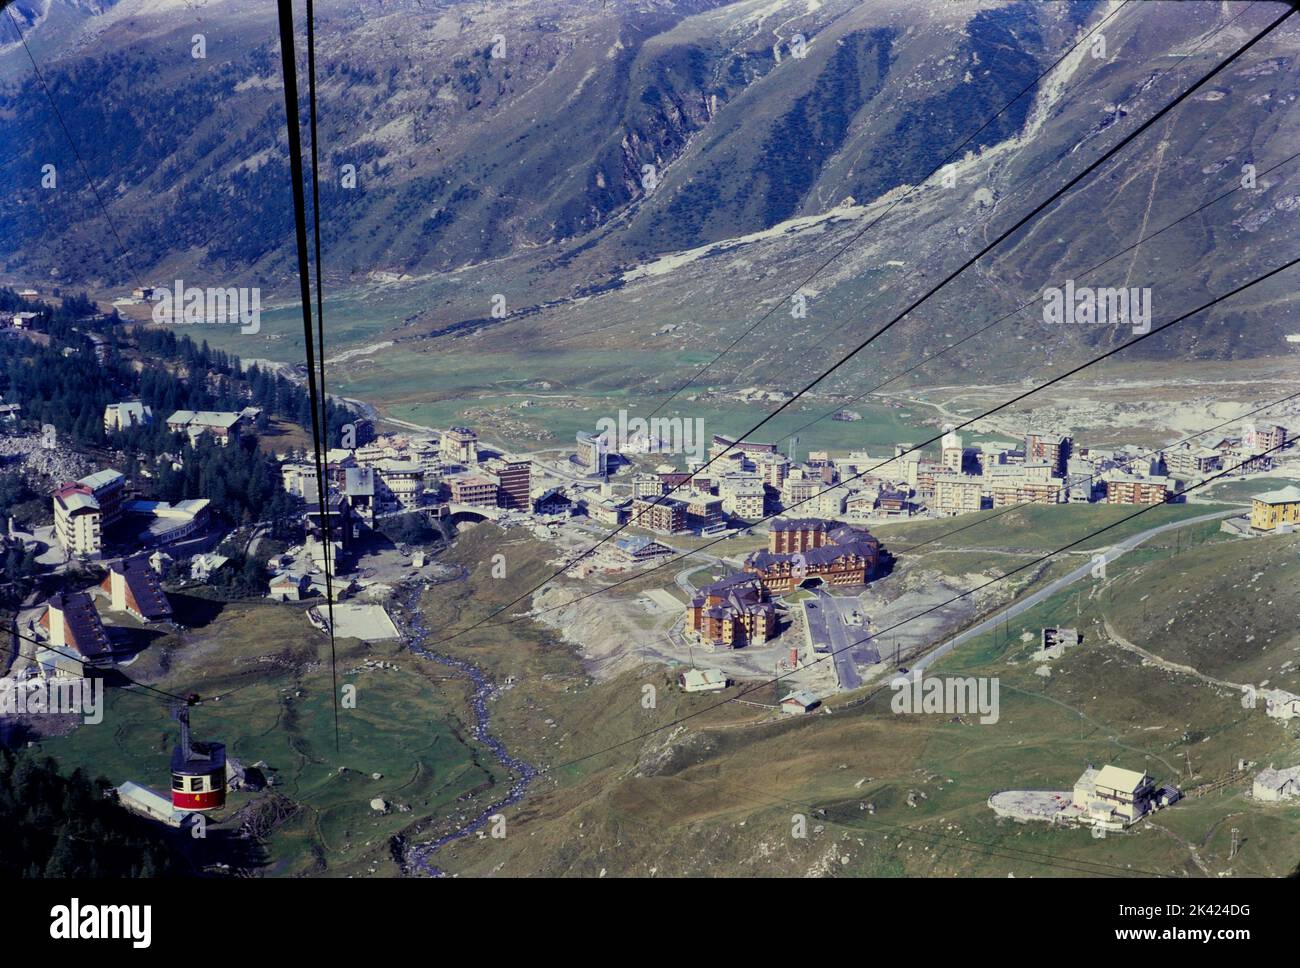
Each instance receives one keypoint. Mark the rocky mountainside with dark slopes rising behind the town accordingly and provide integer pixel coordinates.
(651, 160)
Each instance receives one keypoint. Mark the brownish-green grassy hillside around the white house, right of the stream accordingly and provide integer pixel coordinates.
(714, 797)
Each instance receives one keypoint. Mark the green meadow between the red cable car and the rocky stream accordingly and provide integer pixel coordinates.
(408, 727)
